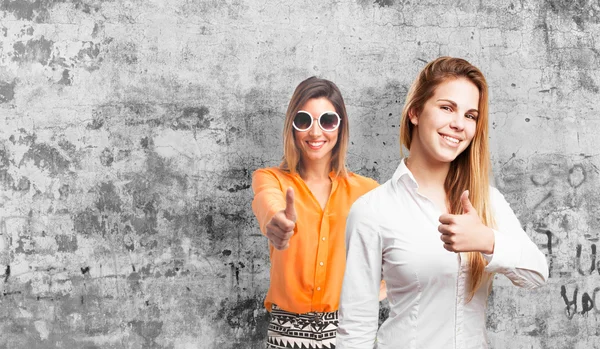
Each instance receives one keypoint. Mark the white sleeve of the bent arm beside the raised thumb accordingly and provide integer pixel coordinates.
(515, 255)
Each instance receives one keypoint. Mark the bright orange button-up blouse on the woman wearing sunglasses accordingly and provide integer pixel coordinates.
(307, 276)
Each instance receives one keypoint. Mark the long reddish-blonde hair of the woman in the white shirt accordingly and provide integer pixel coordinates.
(471, 169)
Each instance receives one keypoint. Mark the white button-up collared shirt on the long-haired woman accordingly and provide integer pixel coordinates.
(392, 233)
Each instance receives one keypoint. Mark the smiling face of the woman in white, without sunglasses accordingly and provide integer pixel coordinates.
(447, 123)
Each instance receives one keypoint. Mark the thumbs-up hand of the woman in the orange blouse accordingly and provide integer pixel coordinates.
(280, 228)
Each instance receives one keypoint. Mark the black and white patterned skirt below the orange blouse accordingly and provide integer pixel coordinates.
(309, 330)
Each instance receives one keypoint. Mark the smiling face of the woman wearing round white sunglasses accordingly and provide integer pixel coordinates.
(316, 145)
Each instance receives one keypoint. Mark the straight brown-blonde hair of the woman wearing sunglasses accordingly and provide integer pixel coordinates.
(310, 88)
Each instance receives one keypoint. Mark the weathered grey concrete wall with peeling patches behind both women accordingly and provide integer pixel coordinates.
(129, 131)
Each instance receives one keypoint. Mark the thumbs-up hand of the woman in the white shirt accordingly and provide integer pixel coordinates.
(466, 232)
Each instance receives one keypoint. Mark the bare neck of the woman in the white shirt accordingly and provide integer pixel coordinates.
(427, 173)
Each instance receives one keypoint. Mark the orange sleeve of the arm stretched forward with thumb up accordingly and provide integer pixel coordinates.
(268, 197)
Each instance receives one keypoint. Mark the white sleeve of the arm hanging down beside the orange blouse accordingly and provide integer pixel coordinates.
(359, 301)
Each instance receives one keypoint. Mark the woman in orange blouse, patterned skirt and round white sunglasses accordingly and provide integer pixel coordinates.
(301, 207)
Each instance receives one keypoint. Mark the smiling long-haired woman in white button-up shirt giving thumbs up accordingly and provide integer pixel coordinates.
(437, 231)
